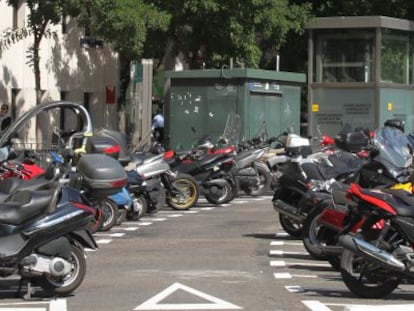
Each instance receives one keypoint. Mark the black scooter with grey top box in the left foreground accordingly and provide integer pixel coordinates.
(43, 232)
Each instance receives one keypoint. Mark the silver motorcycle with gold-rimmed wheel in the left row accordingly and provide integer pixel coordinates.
(179, 191)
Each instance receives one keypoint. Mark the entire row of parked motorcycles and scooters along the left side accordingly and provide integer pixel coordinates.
(93, 181)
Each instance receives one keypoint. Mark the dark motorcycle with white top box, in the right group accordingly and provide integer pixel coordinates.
(291, 199)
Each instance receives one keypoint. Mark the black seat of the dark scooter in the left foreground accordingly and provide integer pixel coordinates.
(24, 205)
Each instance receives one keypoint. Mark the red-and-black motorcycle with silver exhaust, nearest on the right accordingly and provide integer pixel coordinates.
(379, 256)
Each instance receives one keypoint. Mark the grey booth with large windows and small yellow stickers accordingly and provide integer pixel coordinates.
(360, 71)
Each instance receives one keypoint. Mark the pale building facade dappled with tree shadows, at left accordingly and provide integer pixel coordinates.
(73, 67)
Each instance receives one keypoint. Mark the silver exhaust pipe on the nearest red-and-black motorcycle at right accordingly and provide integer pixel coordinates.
(370, 251)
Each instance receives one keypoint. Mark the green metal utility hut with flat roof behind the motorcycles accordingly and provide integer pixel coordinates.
(200, 100)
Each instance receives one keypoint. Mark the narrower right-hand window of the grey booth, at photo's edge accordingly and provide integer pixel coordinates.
(396, 57)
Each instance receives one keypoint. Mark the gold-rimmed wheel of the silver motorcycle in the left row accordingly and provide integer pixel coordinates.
(185, 192)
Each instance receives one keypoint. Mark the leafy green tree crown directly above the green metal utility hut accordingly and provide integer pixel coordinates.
(209, 33)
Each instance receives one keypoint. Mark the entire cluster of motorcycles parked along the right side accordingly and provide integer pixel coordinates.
(351, 203)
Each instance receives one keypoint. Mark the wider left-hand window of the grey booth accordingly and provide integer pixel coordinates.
(344, 56)
